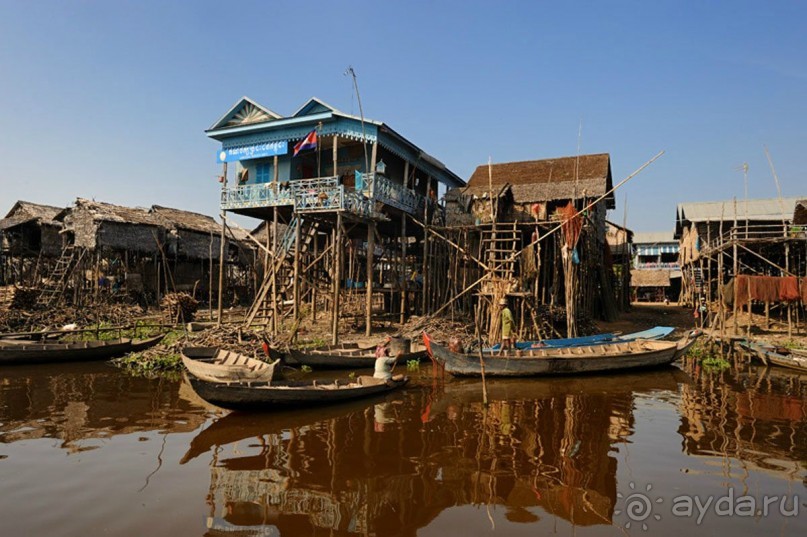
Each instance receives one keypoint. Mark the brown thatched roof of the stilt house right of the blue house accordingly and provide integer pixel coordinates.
(548, 179)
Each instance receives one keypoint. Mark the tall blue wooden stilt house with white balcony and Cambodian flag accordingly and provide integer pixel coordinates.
(354, 186)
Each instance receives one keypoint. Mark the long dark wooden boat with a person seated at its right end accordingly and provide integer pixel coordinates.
(285, 394)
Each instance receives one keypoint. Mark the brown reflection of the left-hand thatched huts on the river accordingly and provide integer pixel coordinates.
(79, 403)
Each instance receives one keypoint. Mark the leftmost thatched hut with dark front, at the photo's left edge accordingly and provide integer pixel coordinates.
(29, 236)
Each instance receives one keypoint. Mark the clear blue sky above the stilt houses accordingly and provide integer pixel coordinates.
(110, 99)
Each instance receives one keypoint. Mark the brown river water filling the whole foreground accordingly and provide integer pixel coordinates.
(88, 450)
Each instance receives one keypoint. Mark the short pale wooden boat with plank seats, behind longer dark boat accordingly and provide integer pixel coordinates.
(216, 365)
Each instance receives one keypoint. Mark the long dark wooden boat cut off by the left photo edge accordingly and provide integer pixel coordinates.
(30, 353)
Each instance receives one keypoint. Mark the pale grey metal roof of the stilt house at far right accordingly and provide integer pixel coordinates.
(771, 209)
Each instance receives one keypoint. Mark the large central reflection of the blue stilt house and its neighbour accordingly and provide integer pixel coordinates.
(390, 467)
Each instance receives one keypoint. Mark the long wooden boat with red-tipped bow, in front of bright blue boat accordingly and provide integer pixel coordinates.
(562, 361)
